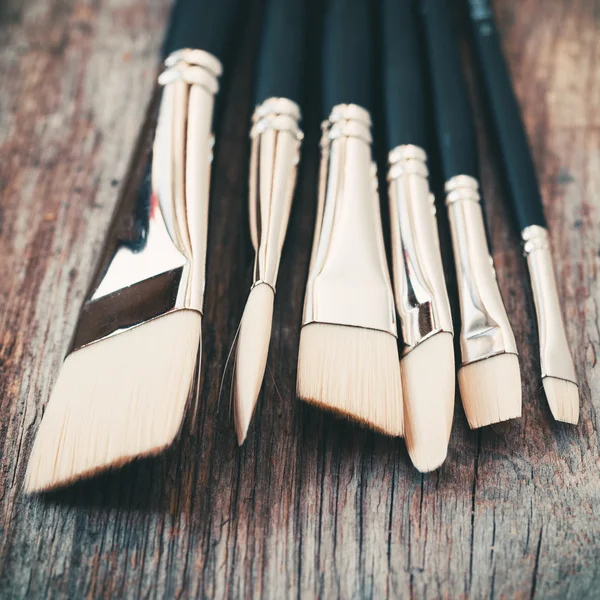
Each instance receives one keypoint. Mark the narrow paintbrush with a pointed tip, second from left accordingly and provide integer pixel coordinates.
(275, 151)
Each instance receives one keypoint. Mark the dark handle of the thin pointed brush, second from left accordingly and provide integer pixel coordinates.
(281, 60)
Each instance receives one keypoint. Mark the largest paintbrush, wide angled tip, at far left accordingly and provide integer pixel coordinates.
(125, 383)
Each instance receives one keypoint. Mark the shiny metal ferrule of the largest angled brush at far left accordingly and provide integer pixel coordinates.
(154, 259)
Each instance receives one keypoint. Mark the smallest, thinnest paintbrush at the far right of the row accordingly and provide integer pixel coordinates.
(558, 372)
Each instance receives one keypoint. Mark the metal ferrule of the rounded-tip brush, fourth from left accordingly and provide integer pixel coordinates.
(419, 284)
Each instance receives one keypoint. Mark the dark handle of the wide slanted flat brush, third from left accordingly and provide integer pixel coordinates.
(347, 54)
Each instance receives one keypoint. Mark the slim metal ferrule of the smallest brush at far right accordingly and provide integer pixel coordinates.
(556, 360)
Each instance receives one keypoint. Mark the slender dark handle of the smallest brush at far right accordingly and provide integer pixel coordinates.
(505, 117)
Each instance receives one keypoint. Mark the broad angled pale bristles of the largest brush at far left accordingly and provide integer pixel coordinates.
(115, 400)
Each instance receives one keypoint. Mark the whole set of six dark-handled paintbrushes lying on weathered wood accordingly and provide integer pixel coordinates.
(125, 384)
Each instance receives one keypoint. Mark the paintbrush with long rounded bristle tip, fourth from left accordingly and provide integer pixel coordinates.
(419, 285)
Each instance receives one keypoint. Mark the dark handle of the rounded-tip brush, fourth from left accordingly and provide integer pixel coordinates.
(403, 74)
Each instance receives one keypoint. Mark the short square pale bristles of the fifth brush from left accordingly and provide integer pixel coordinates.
(491, 390)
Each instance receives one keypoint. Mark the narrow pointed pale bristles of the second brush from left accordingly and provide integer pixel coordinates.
(251, 355)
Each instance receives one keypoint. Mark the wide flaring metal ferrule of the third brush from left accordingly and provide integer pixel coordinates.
(349, 282)
